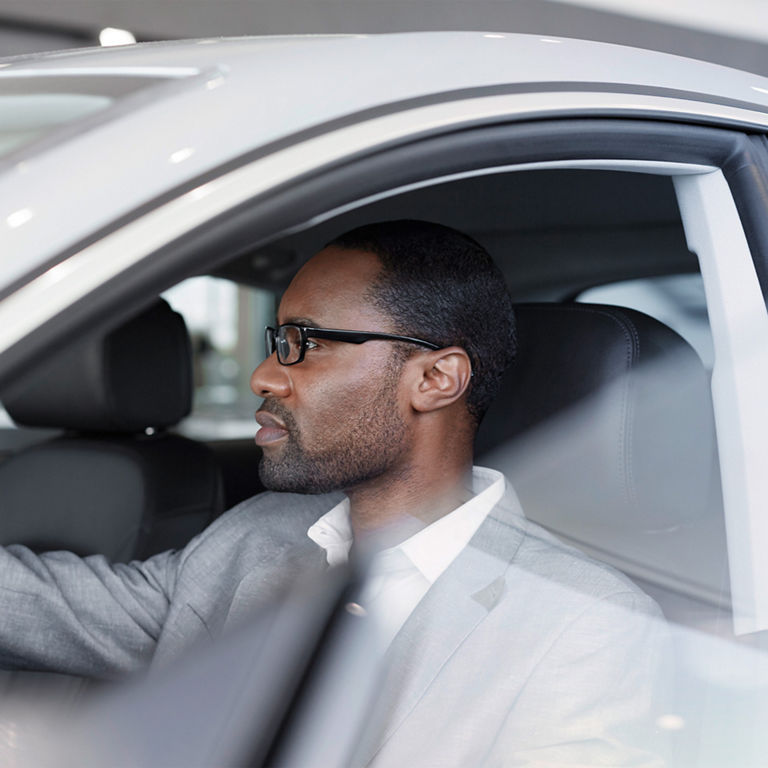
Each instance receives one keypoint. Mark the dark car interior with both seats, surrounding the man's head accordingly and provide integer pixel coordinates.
(604, 423)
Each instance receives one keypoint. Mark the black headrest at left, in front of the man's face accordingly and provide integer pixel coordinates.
(136, 376)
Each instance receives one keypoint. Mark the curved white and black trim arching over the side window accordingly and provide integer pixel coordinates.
(295, 185)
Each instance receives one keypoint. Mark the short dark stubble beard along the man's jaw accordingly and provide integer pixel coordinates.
(368, 446)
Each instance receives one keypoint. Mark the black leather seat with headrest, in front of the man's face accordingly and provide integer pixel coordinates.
(117, 482)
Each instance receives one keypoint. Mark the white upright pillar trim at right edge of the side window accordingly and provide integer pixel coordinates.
(734, 301)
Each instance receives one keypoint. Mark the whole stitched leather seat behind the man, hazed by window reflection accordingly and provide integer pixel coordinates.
(605, 428)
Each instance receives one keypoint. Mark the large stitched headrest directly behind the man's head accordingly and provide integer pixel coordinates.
(606, 413)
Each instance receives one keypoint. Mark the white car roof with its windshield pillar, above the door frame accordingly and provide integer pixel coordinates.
(148, 118)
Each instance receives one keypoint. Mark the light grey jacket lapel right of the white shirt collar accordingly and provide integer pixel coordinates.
(453, 607)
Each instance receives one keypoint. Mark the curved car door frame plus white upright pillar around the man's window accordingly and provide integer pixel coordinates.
(304, 183)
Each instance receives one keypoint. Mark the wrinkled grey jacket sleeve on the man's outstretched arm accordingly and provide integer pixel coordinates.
(83, 616)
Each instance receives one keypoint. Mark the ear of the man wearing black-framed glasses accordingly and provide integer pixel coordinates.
(442, 378)
